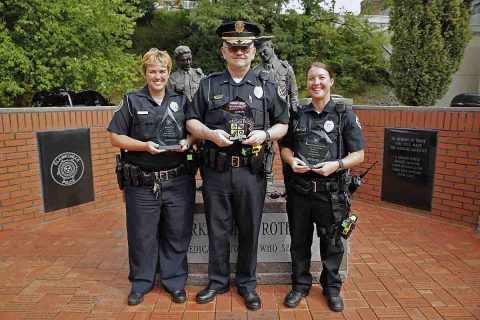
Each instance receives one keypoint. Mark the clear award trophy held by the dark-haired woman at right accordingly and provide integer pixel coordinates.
(315, 148)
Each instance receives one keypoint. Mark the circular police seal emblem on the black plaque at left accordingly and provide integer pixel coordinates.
(67, 169)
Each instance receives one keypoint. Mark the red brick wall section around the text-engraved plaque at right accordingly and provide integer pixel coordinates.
(456, 194)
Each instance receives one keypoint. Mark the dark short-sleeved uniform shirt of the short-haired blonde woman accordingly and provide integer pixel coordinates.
(138, 117)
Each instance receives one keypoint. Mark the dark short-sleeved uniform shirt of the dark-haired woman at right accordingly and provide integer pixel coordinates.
(328, 120)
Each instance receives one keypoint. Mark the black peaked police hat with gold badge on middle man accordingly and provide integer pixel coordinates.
(238, 33)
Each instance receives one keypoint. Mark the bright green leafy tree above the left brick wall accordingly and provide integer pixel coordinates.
(72, 45)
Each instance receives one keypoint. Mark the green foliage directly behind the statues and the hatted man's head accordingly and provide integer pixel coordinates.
(351, 46)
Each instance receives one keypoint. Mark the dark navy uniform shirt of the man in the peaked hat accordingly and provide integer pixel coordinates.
(218, 89)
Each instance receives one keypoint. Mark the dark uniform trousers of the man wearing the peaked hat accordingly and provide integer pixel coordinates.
(235, 195)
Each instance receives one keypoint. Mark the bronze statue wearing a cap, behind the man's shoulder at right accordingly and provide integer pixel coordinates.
(279, 70)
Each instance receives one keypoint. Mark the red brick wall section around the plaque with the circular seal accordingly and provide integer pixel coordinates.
(21, 199)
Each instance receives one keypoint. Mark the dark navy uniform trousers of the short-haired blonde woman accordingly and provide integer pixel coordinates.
(159, 231)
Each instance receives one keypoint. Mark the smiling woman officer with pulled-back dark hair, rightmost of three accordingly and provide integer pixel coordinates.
(323, 141)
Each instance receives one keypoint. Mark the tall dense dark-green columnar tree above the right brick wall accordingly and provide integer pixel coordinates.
(429, 39)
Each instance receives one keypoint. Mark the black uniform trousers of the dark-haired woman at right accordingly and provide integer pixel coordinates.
(303, 212)
